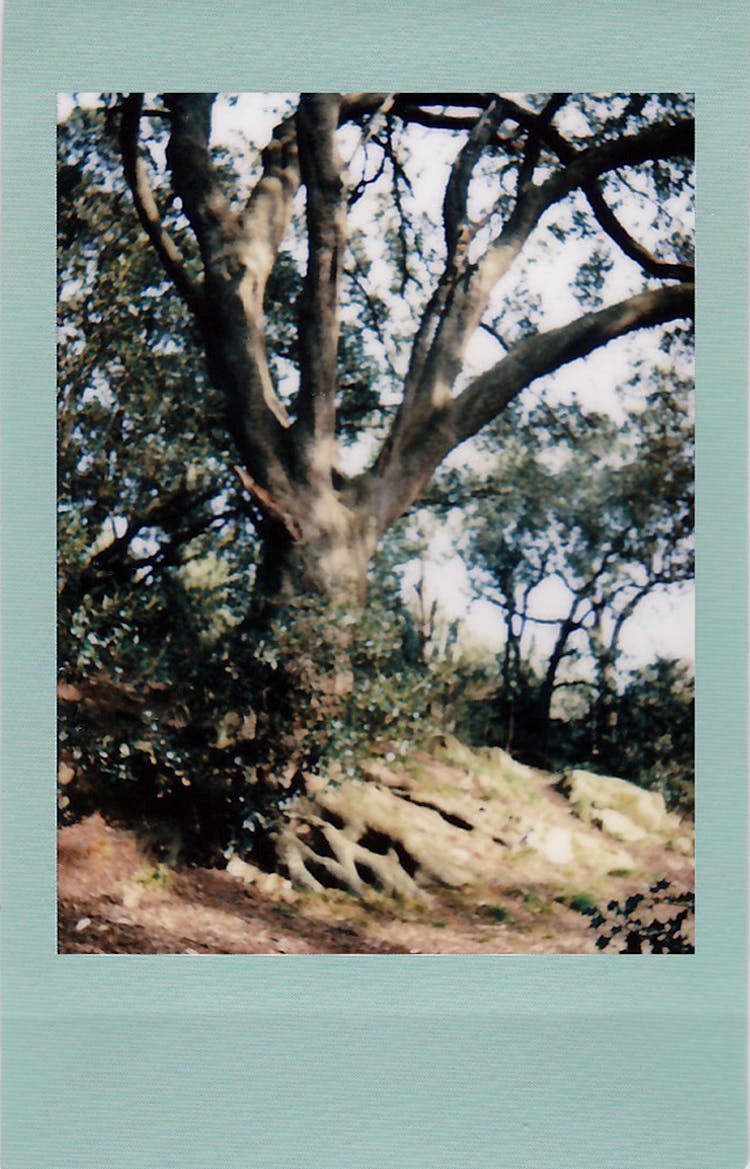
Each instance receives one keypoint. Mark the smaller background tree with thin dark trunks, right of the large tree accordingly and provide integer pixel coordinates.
(603, 511)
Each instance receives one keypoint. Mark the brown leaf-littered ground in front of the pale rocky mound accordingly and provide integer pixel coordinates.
(116, 898)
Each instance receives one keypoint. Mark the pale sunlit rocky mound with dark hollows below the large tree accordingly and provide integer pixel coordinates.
(463, 819)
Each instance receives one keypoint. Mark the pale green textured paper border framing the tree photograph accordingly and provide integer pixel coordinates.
(372, 1063)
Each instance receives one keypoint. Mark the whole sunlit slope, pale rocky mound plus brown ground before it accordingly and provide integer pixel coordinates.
(455, 852)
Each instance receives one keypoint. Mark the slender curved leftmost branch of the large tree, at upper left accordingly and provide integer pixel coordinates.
(147, 206)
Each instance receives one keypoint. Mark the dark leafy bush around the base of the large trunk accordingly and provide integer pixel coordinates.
(217, 739)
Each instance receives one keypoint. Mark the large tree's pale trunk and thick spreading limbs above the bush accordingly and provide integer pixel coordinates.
(515, 164)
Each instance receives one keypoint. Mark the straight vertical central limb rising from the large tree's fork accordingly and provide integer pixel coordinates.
(317, 121)
